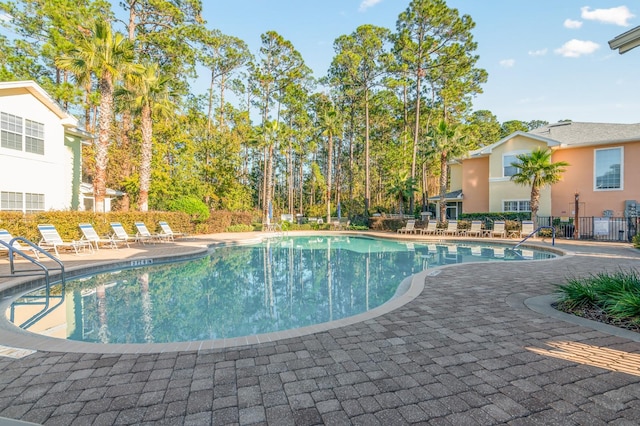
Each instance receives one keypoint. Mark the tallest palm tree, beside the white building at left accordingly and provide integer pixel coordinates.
(104, 55)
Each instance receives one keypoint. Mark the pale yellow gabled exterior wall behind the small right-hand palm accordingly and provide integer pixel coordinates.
(501, 188)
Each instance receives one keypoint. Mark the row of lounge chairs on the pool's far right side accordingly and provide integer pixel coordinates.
(475, 230)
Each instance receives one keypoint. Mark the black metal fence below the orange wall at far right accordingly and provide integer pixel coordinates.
(594, 228)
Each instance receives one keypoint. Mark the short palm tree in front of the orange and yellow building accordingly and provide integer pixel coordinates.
(536, 170)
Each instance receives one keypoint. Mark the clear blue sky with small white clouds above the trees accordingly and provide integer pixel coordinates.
(546, 59)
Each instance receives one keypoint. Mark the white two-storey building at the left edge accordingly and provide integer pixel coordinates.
(40, 151)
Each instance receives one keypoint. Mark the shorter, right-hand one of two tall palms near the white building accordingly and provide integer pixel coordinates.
(150, 95)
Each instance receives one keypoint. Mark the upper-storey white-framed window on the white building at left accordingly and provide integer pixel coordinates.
(12, 132)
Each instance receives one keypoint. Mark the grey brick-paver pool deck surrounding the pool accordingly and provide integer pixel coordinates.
(468, 350)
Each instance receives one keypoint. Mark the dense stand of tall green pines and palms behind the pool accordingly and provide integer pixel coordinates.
(394, 107)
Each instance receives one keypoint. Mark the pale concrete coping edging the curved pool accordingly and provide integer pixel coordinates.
(13, 336)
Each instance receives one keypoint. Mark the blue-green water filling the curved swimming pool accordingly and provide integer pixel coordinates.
(279, 284)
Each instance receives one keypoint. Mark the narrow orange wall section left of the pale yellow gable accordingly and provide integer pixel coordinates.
(475, 185)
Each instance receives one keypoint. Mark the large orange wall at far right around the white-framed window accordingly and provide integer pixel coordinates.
(579, 177)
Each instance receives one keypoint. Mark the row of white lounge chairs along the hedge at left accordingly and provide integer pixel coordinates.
(90, 240)
